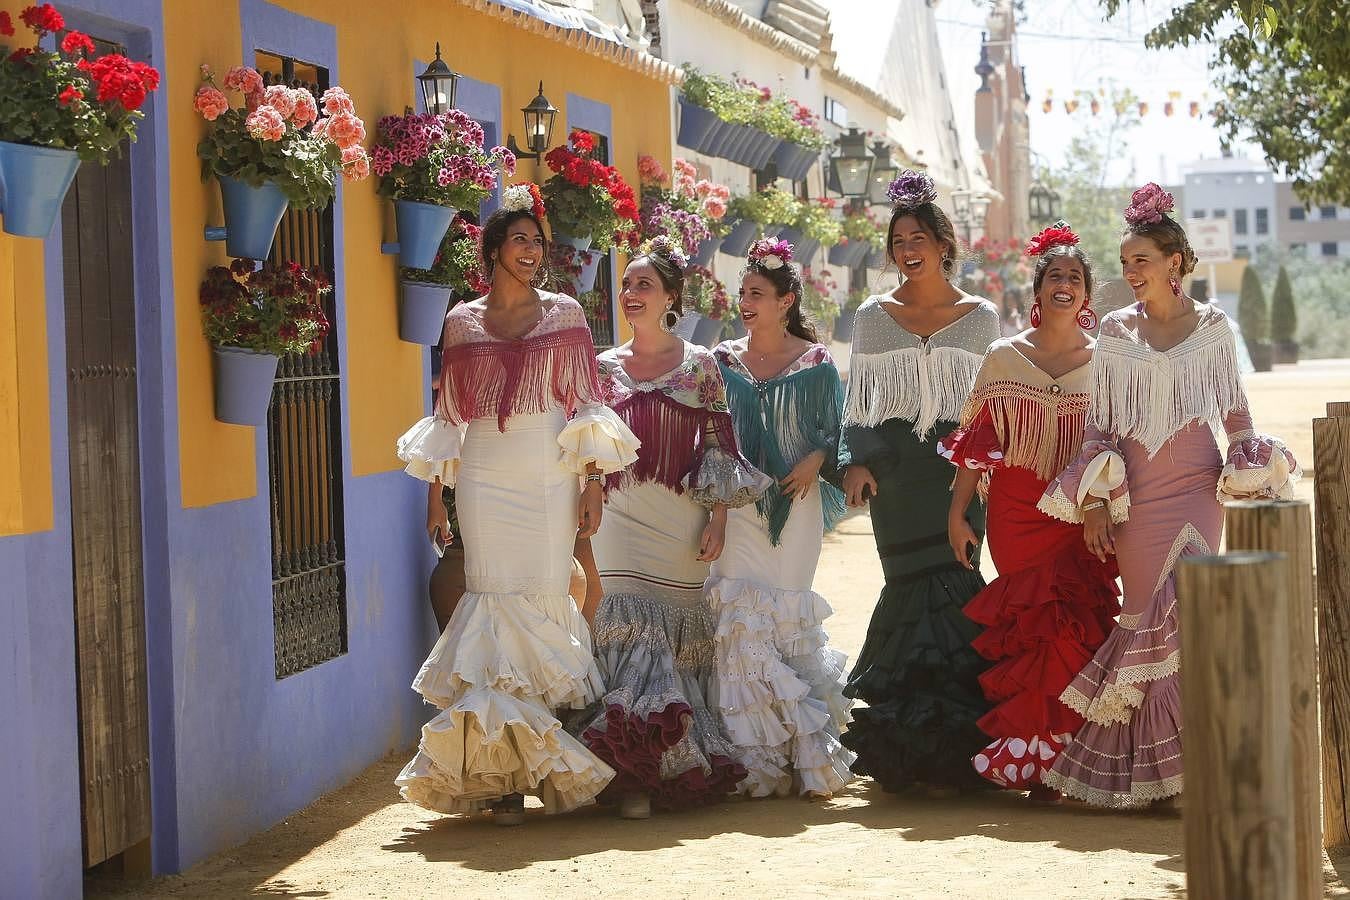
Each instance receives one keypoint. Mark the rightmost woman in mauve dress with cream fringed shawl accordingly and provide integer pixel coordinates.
(1148, 486)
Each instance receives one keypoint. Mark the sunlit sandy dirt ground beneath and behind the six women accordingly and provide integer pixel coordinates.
(362, 841)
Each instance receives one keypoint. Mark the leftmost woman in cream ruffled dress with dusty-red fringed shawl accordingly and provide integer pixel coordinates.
(520, 434)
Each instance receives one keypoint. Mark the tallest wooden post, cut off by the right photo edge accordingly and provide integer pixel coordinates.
(1332, 495)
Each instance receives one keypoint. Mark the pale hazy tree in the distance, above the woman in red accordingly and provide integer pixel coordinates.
(1089, 199)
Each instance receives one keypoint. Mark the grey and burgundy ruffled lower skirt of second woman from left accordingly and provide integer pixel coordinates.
(658, 727)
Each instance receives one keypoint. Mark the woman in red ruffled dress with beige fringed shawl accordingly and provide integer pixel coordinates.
(1054, 601)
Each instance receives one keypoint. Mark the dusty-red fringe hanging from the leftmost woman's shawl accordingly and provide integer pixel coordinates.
(507, 378)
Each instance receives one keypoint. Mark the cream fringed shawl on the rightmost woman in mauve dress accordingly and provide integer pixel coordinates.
(1150, 396)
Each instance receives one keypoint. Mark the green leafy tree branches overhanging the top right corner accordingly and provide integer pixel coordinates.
(1283, 68)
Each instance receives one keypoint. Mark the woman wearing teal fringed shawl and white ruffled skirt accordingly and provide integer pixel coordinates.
(781, 685)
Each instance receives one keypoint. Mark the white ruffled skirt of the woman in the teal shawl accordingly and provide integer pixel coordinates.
(782, 687)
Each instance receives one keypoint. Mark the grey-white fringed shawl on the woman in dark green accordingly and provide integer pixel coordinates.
(893, 374)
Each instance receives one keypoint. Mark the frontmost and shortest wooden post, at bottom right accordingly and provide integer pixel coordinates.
(1235, 617)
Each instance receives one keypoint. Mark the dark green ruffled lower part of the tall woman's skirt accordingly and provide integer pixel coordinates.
(920, 678)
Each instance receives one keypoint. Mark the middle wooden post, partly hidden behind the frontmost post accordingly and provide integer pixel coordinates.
(1286, 527)
